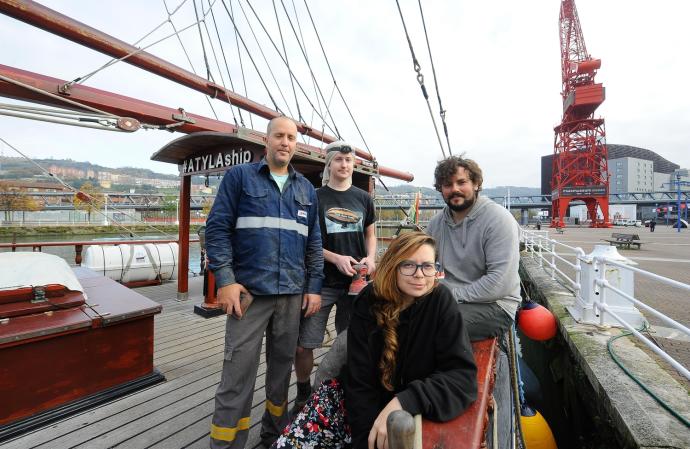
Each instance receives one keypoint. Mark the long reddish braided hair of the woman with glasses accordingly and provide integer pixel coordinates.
(389, 300)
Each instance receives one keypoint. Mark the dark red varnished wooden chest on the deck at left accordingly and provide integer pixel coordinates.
(55, 362)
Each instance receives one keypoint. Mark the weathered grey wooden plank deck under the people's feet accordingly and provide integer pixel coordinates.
(173, 414)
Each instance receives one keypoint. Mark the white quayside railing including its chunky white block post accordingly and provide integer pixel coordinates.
(592, 299)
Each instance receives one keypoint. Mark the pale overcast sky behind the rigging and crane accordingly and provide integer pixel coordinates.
(497, 64)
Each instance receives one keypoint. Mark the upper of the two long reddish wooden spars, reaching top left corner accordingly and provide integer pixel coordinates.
(52, 21)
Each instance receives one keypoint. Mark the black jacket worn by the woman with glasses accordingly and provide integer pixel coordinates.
(435, 371)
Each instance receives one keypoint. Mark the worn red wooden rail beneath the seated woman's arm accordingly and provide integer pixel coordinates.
(467, 430)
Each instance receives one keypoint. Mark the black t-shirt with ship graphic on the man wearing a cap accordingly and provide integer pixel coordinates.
(343, 217)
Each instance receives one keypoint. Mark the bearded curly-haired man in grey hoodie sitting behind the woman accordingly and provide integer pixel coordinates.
(478, 249)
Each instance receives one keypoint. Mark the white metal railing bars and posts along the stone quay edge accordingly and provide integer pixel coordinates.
(544, 249)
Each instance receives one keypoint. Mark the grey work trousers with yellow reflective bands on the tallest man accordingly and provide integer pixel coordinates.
(278, 316)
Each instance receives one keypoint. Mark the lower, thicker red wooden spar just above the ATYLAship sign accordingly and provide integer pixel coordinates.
(121, 105)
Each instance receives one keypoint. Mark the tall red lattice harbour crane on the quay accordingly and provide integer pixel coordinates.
(580, 170)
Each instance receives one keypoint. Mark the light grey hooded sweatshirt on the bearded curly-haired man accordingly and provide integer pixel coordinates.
(480, 255)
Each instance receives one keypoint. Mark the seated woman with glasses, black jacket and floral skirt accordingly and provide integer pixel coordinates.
(407, 349)
